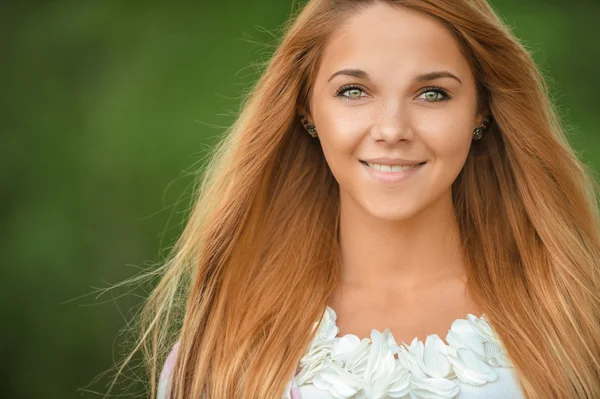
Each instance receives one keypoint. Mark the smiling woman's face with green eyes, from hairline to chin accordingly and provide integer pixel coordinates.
(407, 95)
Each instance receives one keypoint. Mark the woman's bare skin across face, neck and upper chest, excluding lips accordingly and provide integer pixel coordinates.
(401, 263)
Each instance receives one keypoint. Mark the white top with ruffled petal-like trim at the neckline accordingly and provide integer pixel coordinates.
(472, 365)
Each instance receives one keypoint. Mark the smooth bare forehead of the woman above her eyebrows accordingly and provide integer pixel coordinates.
(393, 42)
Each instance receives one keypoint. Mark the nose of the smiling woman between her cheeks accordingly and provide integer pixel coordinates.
(392, 124)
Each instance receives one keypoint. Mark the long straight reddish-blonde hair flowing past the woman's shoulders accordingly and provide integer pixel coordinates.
(257, 261)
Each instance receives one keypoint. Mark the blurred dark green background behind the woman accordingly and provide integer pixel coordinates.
(106, 109)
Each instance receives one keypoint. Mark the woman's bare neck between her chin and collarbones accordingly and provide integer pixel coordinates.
(392, 255)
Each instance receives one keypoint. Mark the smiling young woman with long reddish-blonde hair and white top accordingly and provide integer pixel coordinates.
(396, 213)
